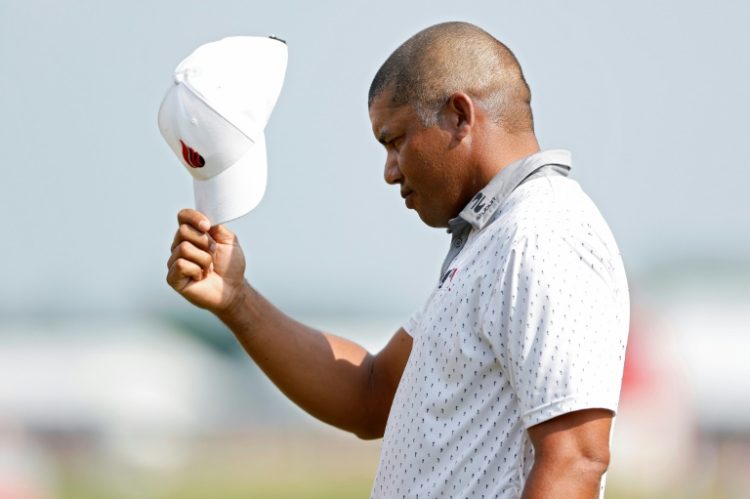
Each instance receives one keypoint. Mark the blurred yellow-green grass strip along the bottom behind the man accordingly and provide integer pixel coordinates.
(272, 465)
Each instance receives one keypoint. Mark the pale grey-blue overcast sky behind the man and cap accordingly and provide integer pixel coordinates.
(652, 100)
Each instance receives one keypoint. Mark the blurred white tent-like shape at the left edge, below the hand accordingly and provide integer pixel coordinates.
(136, 388)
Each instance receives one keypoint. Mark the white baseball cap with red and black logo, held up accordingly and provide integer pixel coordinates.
(213, 118)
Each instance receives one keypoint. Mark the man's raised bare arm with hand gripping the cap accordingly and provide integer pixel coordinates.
(332, 378)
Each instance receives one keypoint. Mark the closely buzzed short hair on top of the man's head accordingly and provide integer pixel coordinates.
(456, 57)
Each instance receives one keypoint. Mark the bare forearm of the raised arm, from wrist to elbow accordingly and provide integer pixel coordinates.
(327, 376)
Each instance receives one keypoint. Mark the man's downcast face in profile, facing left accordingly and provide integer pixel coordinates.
(425, 162)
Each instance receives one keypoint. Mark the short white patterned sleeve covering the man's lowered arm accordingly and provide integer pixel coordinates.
(563, 324)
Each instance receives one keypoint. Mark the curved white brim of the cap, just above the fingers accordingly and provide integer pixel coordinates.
(235, 191)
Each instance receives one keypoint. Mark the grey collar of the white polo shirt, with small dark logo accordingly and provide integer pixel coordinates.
(486, 202)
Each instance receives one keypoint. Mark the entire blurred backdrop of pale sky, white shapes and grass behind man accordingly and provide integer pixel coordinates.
(112, 386)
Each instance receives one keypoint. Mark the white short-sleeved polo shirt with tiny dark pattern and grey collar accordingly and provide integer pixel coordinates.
(529, 321)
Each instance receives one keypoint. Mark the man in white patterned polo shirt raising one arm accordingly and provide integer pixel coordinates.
(505, 383)
